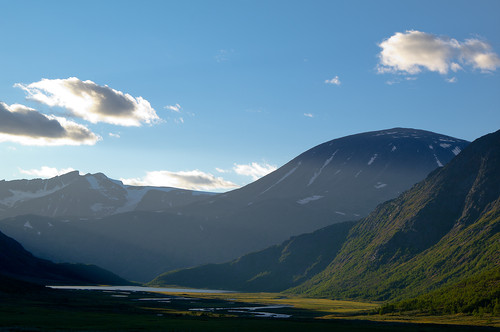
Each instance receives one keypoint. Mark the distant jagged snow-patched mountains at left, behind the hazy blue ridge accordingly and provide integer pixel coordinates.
(86, 196)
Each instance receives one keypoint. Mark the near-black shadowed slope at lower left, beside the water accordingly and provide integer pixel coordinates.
(18, 264)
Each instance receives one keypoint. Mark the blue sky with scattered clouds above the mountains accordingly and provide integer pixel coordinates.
(212, 95)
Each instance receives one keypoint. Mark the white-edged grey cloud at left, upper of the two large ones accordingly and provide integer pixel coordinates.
(92, 102)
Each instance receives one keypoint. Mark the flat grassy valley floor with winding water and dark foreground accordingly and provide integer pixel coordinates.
(131, 311)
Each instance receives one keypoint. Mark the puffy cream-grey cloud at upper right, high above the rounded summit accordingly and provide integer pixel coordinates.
(412, 51)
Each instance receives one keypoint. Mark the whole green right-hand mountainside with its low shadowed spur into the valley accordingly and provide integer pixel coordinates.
(440, 237)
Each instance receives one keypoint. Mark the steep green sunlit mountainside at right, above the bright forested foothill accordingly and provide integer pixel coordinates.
(443, 230)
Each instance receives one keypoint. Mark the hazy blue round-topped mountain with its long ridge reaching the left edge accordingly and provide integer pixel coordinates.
(340, 180)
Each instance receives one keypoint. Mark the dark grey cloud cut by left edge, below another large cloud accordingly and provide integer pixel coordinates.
(27, 126)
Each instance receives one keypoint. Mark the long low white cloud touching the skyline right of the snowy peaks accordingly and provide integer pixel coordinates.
(193, 180)
